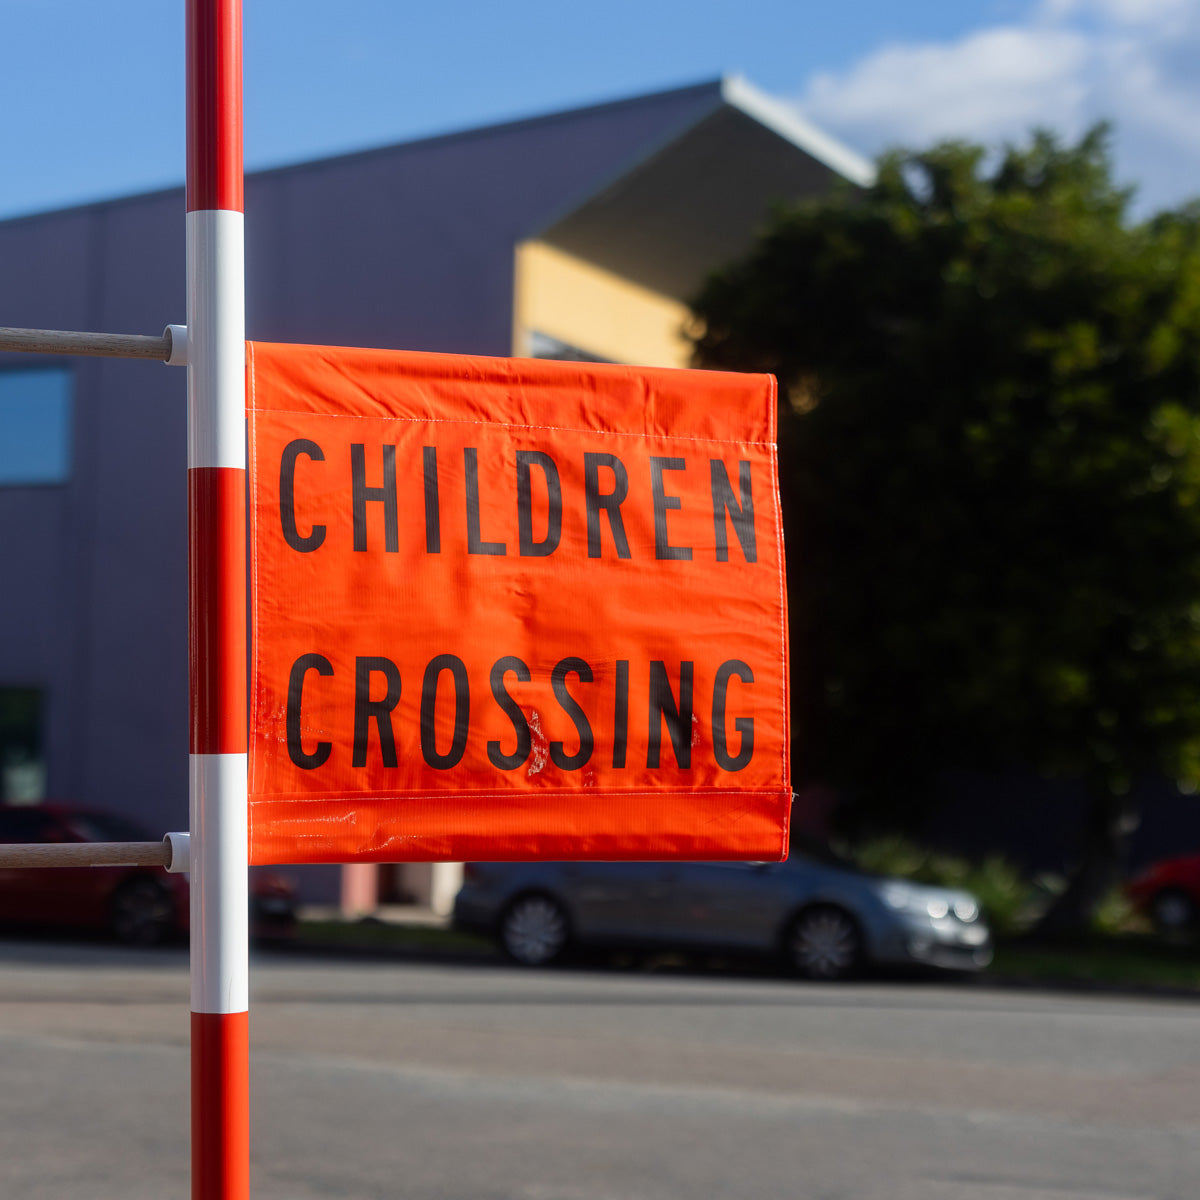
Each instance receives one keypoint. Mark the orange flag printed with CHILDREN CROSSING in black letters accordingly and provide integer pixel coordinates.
(508, 609)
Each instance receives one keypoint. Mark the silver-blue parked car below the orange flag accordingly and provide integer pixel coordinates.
(824, 916)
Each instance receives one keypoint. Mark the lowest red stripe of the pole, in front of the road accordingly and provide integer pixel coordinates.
(220, 1106)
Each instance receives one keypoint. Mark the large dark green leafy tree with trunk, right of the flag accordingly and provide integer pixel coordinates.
(991, 461)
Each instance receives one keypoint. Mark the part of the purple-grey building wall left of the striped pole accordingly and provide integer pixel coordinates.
(99, 617)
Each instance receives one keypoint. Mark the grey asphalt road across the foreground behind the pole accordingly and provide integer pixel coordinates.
(477, 1083)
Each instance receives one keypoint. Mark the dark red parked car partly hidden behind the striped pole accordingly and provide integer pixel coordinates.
(139, 905)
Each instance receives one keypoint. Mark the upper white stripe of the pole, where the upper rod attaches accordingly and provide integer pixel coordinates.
(217, 338)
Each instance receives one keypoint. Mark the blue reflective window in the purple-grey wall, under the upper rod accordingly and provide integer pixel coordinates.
(35, 425)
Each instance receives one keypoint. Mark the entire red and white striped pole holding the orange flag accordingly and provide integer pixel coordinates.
(217, 499)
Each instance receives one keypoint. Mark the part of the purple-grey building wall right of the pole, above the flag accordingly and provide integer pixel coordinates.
(412, 247)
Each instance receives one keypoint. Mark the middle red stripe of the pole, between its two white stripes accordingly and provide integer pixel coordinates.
(217, 515)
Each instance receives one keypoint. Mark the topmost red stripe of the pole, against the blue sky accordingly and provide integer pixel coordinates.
(214, 106)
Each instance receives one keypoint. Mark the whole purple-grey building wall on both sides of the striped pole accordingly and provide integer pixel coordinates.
(410, 247)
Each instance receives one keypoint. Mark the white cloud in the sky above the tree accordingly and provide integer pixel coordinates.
(1070, 64)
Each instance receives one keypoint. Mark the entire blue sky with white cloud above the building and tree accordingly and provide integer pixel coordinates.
(94, 92)
